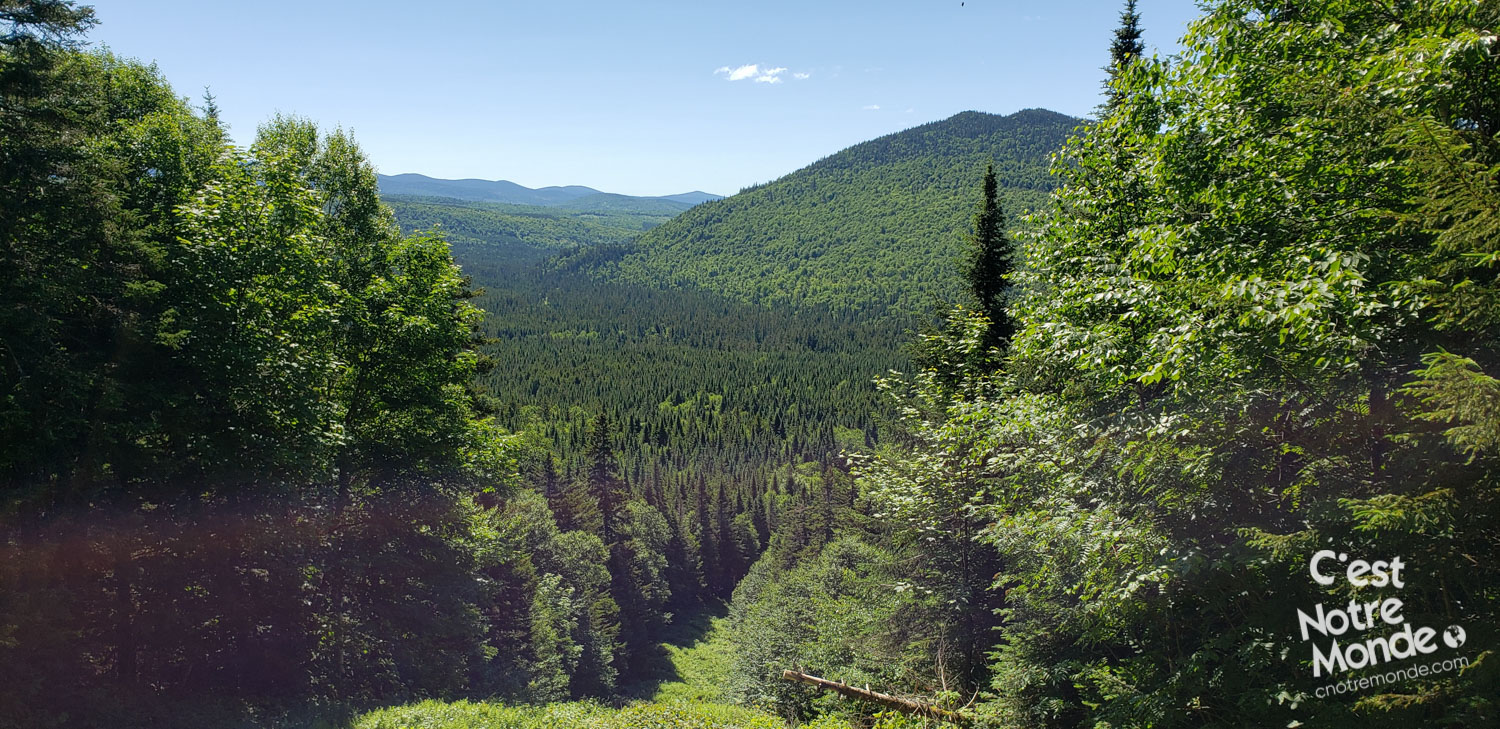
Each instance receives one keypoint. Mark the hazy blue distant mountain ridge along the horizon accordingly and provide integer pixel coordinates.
(506, 191)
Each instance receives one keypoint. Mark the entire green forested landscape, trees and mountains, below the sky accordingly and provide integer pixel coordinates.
(1181, 416)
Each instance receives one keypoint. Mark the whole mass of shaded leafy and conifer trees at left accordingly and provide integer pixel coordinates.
(242, 440)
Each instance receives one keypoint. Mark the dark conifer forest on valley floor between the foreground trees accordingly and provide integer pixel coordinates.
(721, 413)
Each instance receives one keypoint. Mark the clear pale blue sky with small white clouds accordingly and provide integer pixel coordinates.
(635, 98)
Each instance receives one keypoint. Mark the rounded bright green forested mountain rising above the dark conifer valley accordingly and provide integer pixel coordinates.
(878, 227)
